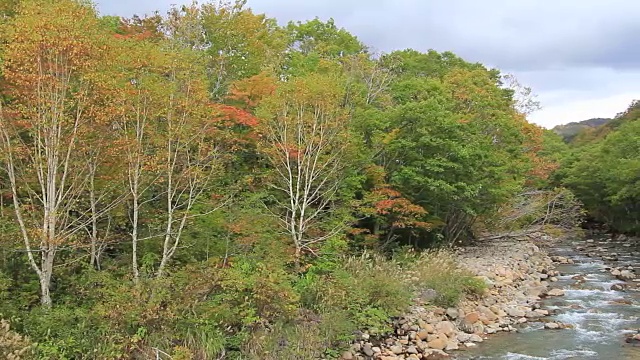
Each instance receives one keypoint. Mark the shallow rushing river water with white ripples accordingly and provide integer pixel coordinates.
(599, 316)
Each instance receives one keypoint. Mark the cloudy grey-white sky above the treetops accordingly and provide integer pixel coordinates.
(582, 57)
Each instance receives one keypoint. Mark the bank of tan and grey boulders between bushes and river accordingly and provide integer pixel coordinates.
(518, 274)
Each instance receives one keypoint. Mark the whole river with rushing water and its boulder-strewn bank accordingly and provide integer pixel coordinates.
(546, 299)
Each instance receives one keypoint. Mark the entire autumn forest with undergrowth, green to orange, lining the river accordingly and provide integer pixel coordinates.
(210, 184)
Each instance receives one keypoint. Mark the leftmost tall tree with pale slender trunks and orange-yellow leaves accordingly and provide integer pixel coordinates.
(51, 71)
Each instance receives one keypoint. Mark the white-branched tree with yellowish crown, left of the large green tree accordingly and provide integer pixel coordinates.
(305, 141)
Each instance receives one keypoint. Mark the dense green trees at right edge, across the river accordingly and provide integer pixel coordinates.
(601, 166)
